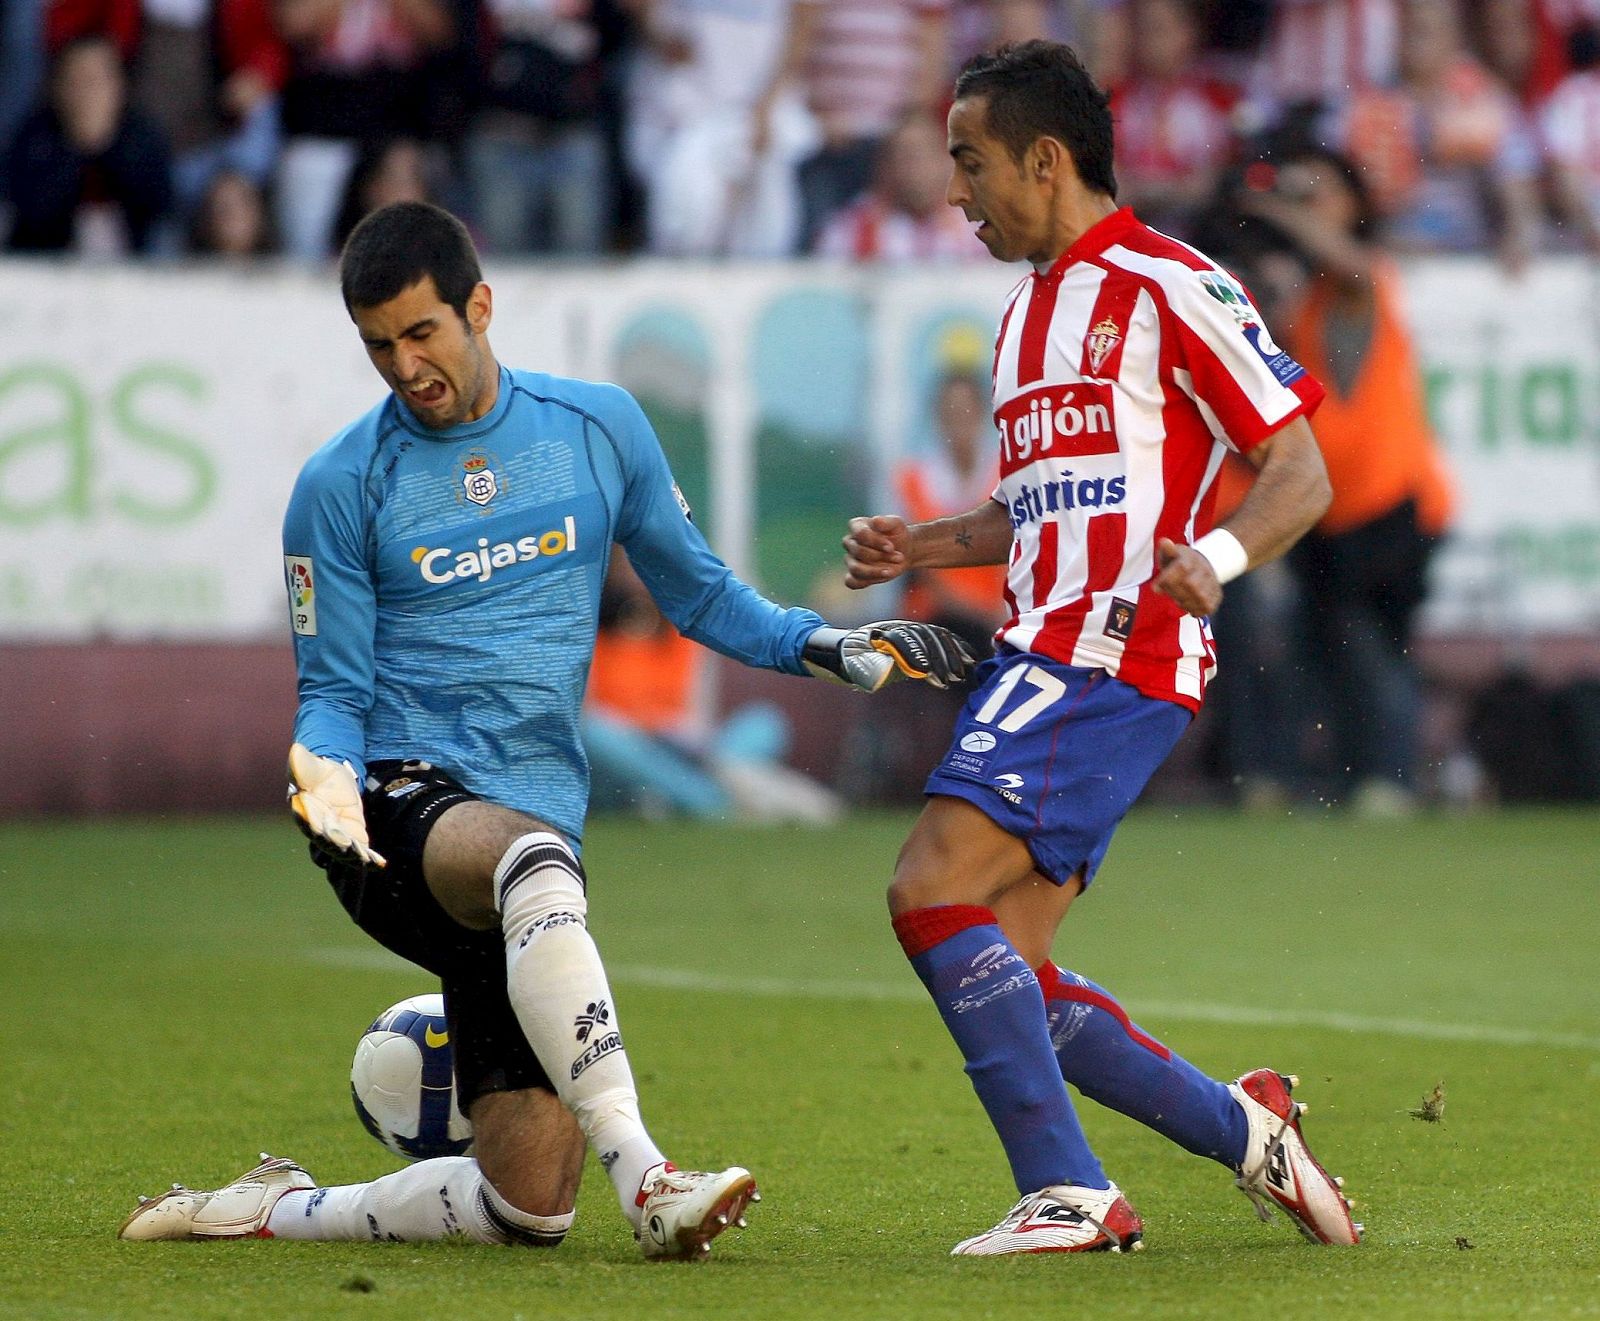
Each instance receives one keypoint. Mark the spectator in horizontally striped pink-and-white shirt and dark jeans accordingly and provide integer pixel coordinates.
(866, 65)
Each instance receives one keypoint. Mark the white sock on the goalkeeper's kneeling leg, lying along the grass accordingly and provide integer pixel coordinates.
(422, 1203)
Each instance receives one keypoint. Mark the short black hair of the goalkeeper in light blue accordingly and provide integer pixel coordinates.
(399, 245)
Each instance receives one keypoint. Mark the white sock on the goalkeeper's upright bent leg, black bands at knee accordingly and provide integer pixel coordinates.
(558, 988)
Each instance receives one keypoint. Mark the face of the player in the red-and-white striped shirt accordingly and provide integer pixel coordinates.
(994, 191)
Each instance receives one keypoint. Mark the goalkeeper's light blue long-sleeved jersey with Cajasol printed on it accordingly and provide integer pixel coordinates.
(446, 586)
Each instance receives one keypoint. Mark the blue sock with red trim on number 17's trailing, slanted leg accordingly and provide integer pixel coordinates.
(1111, 1061)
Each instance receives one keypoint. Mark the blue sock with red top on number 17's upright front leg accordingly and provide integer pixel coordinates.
(990, 1000)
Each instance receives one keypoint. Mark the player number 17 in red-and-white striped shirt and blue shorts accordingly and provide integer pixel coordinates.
(1126, 369)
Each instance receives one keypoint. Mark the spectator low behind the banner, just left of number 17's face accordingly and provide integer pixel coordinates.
(905, 218)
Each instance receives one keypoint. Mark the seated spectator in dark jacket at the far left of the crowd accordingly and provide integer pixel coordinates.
(89, 174)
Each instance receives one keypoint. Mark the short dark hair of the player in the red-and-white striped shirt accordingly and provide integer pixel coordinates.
(1042, 90)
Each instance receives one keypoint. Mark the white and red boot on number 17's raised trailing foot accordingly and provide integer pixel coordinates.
(1279, 1168)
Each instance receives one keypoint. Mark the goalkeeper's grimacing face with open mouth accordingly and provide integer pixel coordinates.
(438, 364)
